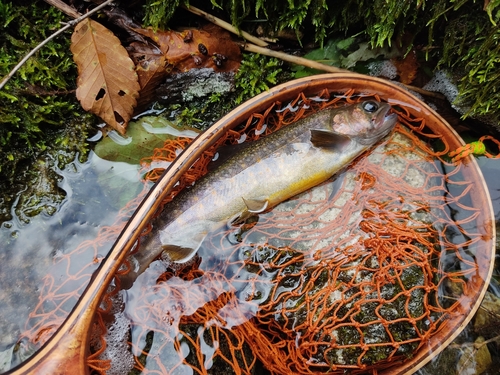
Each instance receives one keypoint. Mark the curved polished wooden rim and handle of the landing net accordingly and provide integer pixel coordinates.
(67, 348)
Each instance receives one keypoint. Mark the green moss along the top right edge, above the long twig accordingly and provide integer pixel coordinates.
(460, 33)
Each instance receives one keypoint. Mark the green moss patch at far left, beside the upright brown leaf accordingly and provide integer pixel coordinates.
(41, 122)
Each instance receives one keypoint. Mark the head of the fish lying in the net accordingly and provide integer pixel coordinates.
(367, 122)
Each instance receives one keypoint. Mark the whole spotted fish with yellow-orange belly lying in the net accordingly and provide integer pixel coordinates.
(261, 175)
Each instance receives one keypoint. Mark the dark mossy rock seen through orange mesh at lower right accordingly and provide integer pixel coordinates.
(298, 303)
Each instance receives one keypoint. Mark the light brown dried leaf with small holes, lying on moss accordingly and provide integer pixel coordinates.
(107, 82)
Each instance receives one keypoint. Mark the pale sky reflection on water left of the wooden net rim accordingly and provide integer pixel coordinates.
(33, 251)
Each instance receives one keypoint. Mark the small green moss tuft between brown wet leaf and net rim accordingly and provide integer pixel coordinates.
(255, 75)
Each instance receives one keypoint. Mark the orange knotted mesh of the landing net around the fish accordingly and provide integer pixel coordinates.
(354, 275)
